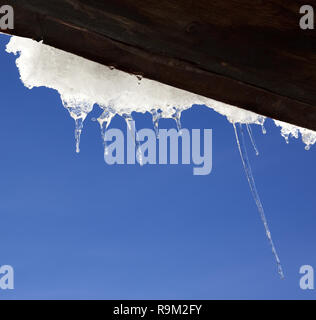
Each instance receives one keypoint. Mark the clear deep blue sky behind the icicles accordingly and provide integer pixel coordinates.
(74, 227)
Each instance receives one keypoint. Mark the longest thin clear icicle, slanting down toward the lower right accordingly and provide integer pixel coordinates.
(244, 157)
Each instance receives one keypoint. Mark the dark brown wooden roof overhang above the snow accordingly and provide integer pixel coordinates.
(247, 53)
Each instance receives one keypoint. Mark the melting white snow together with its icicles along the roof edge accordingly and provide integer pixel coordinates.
(82, 84)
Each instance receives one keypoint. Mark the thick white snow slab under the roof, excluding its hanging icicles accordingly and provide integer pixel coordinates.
(82, 83)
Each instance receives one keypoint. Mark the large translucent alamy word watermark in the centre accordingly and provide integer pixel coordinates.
(141, 147)
